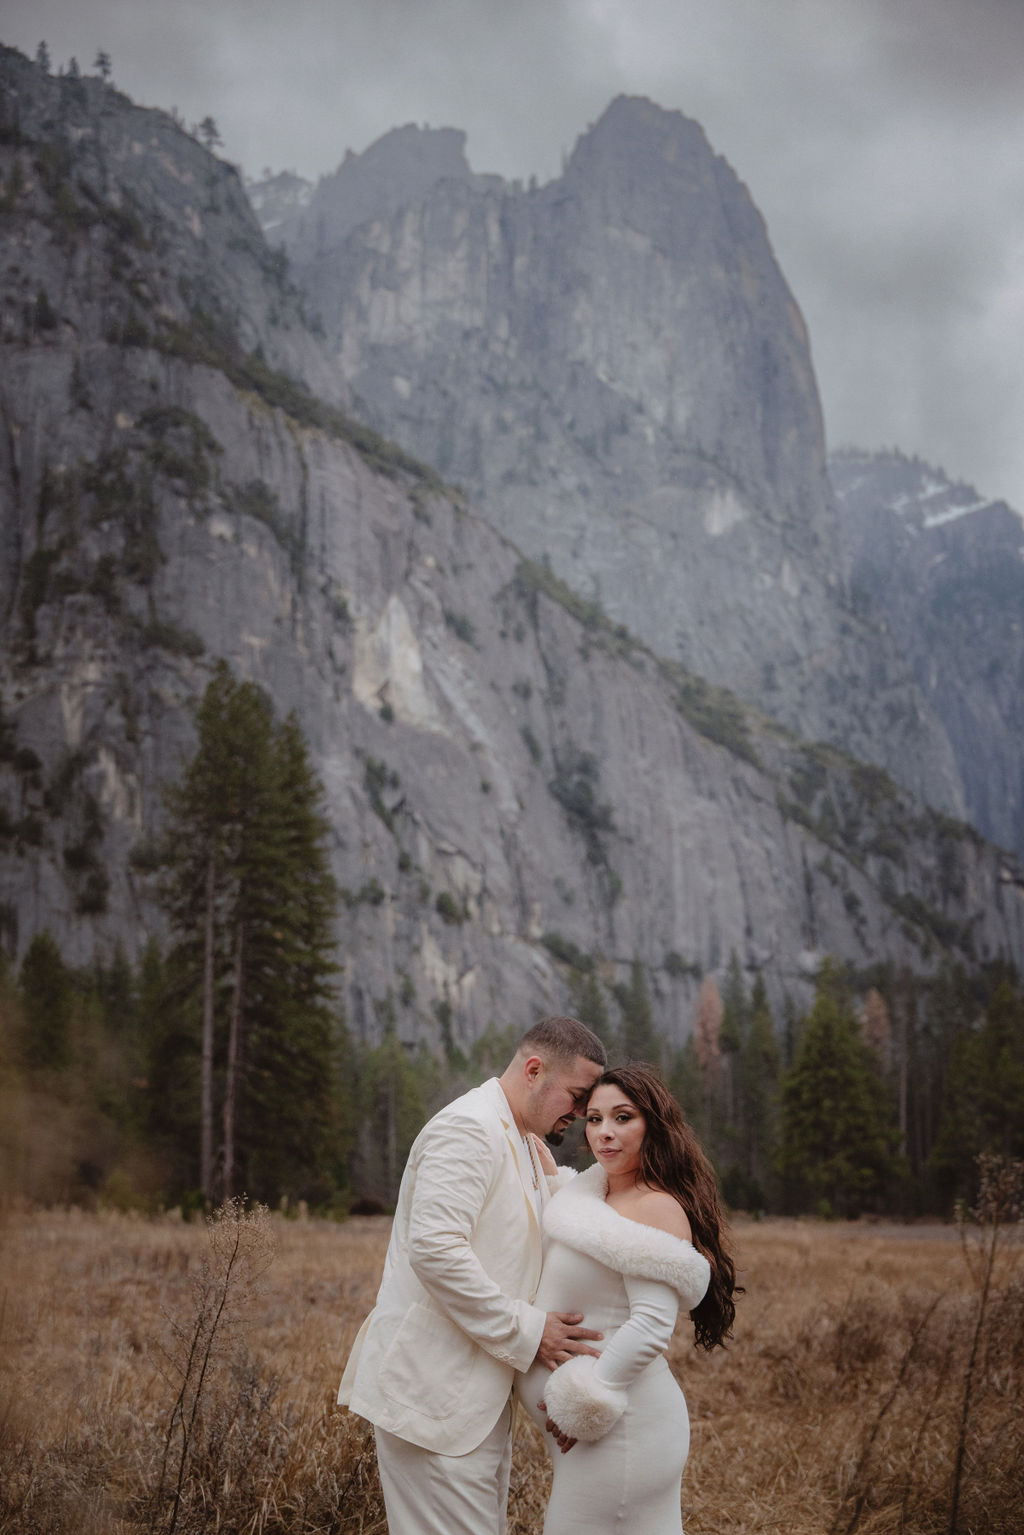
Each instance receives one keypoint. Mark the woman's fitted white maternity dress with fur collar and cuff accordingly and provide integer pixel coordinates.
(626, 1410)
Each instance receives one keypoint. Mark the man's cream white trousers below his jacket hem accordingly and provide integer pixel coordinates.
(429, 1494)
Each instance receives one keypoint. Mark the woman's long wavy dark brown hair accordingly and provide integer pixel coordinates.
(673, 1161)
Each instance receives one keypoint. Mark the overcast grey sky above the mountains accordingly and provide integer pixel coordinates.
(884, 142)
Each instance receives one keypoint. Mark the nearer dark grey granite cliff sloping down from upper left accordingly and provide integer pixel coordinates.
(523, 793)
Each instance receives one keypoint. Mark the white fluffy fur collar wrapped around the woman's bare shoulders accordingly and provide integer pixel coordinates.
(580, 1216)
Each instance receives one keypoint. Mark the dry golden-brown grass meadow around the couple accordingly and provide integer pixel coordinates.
(162, 1376)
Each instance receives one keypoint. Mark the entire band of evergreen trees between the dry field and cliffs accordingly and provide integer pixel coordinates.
(223, 1065)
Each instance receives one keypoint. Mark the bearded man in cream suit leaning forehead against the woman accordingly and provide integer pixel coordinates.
(434, 1364)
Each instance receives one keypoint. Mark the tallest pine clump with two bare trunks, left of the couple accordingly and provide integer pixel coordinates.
(253, 902)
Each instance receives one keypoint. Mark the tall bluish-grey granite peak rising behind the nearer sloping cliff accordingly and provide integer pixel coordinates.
(616, 371)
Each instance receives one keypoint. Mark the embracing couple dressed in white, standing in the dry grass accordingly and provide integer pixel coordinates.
(464, 1304)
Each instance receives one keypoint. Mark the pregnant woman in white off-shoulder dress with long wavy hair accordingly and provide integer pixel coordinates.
(626, 1243)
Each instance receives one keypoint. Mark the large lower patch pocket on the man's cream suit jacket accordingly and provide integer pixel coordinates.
(429, 1364)
